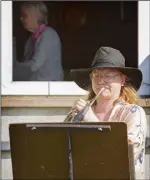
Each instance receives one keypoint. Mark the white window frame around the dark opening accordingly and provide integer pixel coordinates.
(9, 87)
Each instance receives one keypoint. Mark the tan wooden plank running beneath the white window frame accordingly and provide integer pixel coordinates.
(49, 101)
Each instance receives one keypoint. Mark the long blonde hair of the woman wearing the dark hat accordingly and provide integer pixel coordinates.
(128, 94)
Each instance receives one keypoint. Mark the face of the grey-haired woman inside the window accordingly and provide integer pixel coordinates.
(29, 19)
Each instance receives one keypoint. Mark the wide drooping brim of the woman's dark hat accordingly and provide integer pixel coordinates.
(82, 79)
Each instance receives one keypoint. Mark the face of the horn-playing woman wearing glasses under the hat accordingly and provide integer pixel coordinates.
(109, 78)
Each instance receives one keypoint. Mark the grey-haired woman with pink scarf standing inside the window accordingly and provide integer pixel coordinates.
(42, 54)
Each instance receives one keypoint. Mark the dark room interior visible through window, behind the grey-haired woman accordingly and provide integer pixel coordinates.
(107, 24)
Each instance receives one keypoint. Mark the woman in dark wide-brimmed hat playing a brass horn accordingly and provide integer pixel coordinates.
(118, 101)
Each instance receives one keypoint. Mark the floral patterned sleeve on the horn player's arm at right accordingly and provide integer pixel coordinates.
(136, 125)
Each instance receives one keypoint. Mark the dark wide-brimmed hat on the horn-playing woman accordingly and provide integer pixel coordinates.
(107, 57)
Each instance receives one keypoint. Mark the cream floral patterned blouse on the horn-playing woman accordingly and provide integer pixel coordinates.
(135, 118)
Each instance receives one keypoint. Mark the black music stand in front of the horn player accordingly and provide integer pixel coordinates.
(71, 151)
